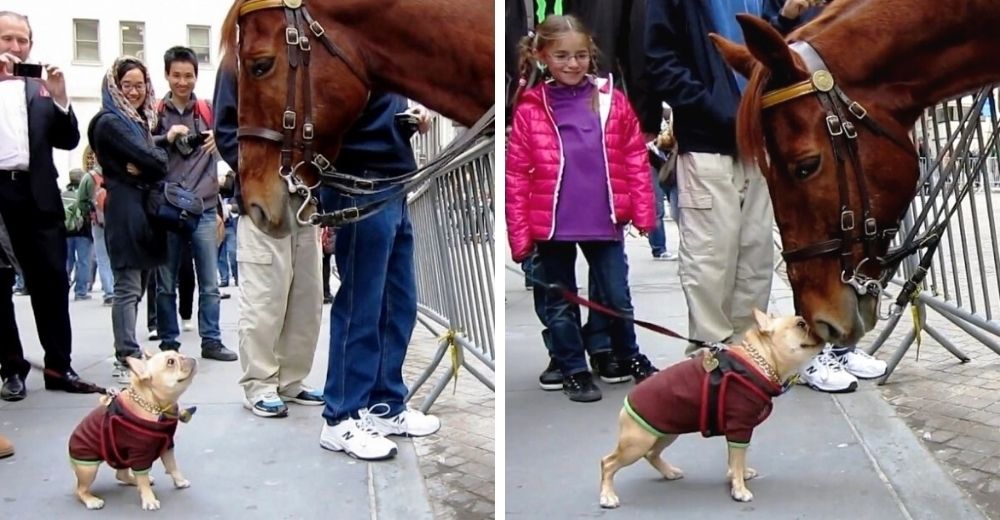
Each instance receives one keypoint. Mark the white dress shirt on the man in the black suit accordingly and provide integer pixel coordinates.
(14, 148)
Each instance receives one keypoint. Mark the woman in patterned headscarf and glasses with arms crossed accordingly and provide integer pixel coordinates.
(132, 164)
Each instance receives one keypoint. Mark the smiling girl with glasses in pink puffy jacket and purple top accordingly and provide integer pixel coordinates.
(577, 173)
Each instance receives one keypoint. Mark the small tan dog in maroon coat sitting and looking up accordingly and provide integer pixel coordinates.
(133, 428)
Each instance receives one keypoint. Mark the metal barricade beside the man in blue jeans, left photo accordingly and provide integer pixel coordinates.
(452, 218)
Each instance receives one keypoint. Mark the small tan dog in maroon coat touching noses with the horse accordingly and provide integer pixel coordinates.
(725, 392)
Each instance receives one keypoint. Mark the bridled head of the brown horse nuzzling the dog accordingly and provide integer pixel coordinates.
(839, 168)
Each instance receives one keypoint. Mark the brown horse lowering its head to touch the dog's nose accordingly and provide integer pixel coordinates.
(826, 113)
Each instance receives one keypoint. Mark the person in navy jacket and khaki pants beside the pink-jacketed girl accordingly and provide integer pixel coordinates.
(726, 251)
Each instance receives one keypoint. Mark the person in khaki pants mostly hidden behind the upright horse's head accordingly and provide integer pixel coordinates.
(281, 293)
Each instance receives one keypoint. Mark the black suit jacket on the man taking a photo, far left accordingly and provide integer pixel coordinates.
(48, 128)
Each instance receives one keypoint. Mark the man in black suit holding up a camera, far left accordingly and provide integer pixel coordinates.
(35, 116)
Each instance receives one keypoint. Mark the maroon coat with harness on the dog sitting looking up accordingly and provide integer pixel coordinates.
(119, 437)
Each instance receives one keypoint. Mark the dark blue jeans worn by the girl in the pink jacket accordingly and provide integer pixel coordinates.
(609, 273)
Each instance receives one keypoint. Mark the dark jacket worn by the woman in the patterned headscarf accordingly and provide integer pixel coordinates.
(133, 243)
